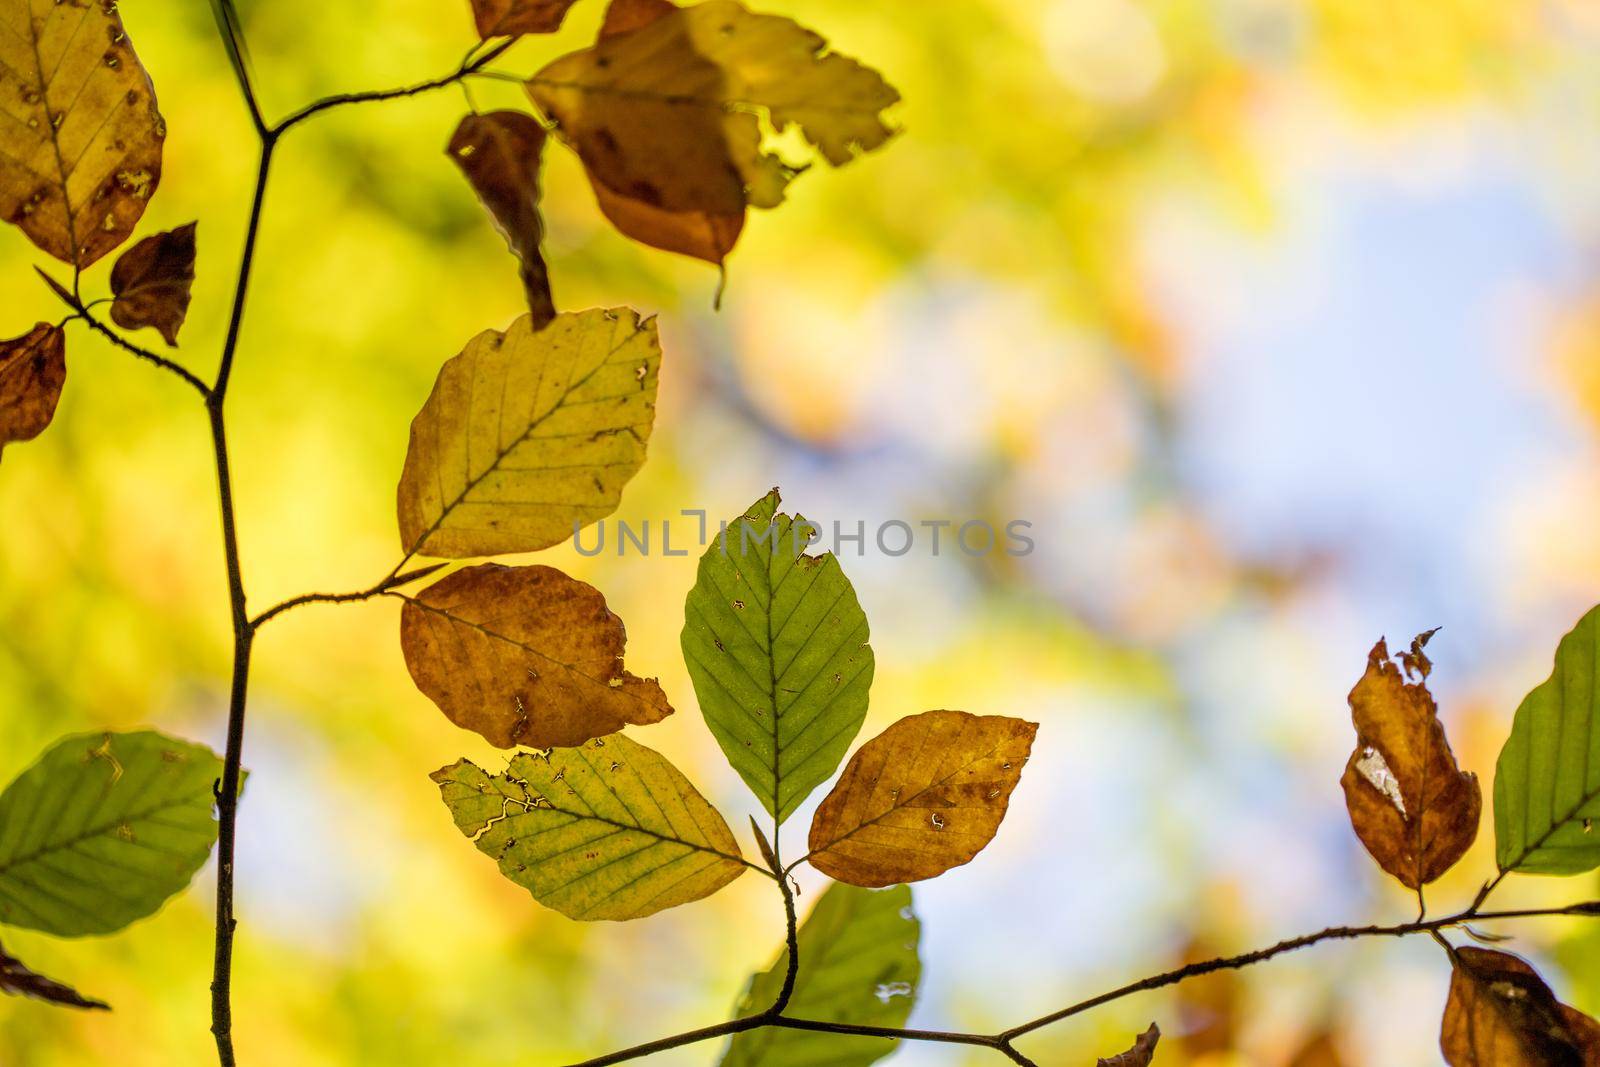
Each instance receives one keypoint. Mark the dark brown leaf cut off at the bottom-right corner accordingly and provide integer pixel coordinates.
(1503, 1015)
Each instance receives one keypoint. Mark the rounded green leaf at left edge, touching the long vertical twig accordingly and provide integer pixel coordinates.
(103, 831)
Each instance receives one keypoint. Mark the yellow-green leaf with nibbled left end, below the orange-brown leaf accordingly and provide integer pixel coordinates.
(606, 831)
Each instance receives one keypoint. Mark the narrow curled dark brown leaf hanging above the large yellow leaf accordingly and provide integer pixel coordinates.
(500, 156)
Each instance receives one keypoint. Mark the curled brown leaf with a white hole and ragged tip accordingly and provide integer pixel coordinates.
(1412, 807)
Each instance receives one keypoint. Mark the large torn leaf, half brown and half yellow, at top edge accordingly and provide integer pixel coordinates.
(670, 113)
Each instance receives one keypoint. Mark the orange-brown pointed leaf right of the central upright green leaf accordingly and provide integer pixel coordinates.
(926, 796)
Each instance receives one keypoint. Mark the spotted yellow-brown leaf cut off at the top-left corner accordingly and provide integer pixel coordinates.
(81, 151)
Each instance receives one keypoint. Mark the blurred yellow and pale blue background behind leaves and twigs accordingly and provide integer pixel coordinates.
(1278, 319)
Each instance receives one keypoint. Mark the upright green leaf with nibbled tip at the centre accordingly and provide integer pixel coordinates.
(777, 645)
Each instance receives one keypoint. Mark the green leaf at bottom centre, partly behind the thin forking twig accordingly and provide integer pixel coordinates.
(858, 965)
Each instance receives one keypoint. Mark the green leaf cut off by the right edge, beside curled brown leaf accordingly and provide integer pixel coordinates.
(1548, 780)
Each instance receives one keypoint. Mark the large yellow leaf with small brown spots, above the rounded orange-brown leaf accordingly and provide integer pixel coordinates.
(530, 434)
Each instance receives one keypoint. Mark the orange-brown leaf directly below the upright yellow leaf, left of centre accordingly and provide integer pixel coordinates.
(526, 657)
